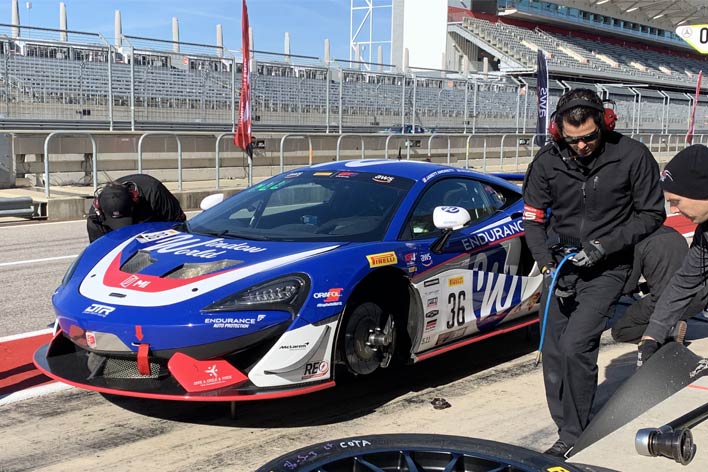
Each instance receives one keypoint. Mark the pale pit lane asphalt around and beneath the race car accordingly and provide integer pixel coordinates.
(493, 388)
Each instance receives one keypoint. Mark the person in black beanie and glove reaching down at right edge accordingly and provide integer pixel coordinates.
(685, 184)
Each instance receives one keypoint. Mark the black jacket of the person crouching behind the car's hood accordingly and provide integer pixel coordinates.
(155, 203)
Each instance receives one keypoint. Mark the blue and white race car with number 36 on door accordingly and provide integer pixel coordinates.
(352, 265)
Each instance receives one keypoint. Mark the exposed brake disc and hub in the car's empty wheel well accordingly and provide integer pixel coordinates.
(369, 338)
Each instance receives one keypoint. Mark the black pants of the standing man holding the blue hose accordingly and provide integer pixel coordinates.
(571, 346)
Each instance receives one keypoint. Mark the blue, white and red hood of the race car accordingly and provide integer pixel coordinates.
(167, 267)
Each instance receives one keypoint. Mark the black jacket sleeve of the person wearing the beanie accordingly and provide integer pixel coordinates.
(687, 281)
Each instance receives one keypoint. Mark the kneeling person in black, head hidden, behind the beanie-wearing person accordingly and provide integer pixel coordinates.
(656, 258)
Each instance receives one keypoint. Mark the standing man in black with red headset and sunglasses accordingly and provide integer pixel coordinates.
(596, 186)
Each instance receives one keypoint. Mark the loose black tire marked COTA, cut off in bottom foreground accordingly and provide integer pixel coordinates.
(414, 453)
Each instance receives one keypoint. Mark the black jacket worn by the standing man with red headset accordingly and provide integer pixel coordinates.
(616, 199)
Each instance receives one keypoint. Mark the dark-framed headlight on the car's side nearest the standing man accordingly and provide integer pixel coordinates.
(284, 293)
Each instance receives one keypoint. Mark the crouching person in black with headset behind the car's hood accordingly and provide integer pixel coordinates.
(132, 199)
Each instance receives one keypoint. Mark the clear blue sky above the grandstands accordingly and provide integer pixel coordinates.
(309, 22)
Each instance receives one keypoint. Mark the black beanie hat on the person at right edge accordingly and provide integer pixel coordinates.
(687, 173)
